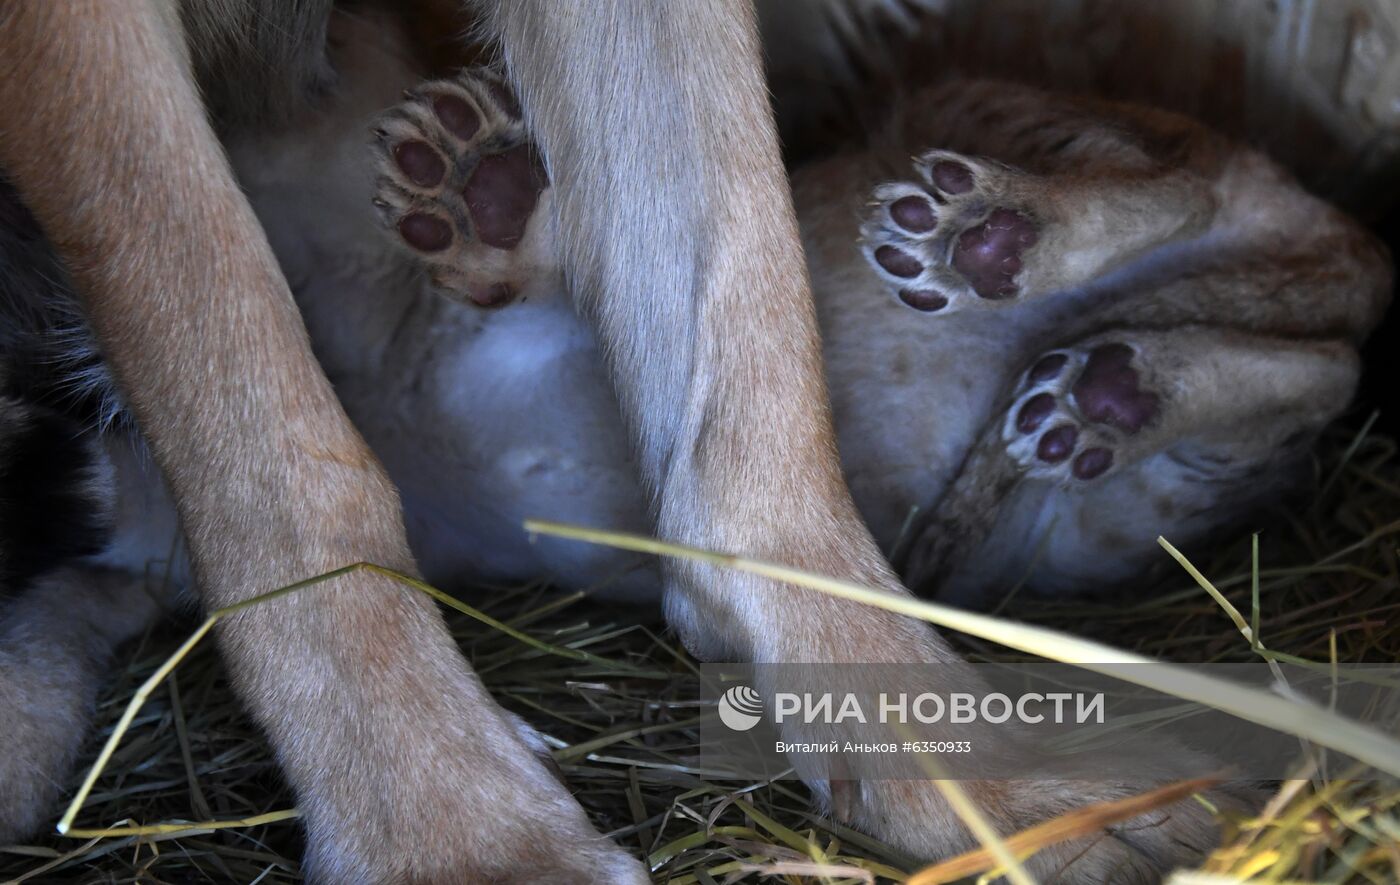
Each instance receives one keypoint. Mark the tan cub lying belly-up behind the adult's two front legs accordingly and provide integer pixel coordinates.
(1055, 330)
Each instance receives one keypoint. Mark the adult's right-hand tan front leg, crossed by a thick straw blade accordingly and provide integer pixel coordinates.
(677, 233)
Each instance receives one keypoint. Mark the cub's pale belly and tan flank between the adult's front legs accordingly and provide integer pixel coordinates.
(489, 418)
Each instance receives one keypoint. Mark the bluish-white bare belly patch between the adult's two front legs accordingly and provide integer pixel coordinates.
(526, 426)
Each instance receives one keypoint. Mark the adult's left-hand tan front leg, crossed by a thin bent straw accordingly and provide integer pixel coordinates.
(404, 767)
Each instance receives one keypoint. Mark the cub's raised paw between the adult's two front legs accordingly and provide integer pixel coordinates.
(461, 188)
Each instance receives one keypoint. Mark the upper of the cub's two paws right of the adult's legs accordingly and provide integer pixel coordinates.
(953, 239)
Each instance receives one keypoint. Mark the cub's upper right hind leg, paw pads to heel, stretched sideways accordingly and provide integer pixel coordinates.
(971, 232)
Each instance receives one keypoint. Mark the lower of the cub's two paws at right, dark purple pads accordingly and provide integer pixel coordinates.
(1077, 410)
